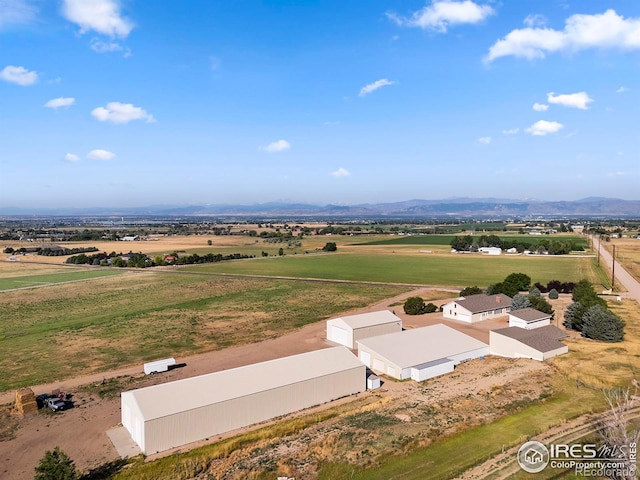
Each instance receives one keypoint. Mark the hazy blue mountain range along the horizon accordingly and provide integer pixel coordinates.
(452, 207)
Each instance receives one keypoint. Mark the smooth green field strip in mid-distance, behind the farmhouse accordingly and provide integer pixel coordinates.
(449, 270)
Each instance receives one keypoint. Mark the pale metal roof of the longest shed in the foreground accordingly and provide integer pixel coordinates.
(162, 400)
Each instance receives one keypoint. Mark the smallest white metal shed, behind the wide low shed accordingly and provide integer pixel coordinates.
(348, 330)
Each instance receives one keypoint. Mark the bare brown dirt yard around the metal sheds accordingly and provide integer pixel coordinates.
(80, 432)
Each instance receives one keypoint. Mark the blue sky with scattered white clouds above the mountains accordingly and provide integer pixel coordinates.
(133, 103)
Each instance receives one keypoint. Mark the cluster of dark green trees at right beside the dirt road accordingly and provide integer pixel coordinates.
(590, 315)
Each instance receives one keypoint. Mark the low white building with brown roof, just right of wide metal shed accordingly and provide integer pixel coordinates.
(538, 343)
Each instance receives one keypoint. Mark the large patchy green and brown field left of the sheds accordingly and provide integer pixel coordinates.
(68, 330)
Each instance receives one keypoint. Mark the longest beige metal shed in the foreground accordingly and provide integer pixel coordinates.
(173, 414)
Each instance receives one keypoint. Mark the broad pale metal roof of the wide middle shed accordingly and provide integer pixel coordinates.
(421, 345)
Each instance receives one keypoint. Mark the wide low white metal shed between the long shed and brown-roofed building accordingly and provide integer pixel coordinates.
(420, 353)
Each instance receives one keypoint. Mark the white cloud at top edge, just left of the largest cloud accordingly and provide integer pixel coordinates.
(442, 13)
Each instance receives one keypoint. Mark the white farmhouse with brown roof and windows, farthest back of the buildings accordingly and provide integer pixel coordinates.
(476, 308)
